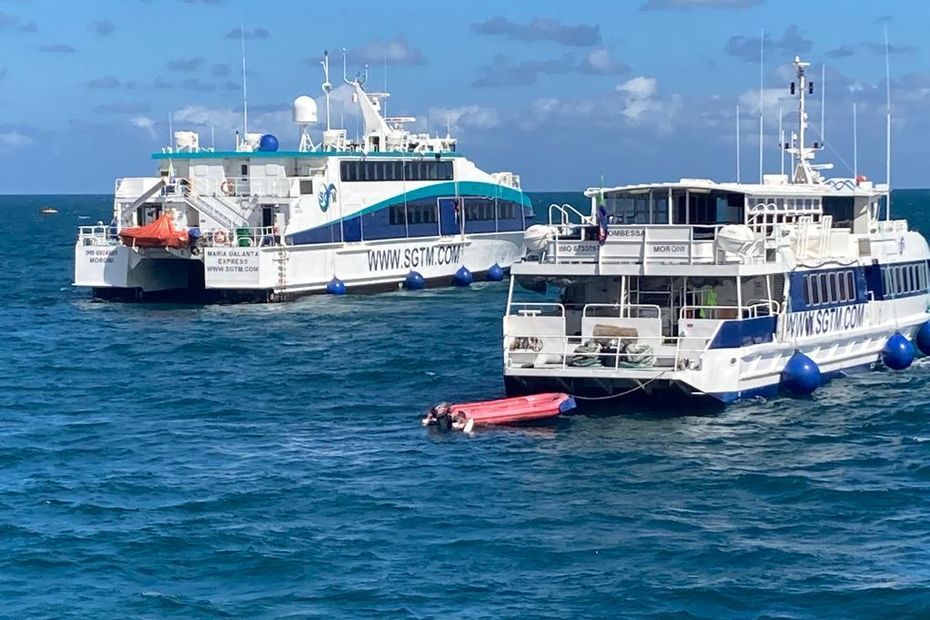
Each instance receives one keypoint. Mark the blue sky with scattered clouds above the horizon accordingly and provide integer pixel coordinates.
(566, 94)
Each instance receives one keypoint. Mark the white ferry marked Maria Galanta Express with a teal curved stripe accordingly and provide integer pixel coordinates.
(393, 208)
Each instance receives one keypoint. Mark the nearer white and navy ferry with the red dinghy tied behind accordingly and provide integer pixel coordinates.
(718, 290)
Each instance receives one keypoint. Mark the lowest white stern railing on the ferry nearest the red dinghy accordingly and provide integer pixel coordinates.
(656, 354)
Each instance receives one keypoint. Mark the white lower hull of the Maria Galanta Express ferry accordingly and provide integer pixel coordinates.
(276, 272)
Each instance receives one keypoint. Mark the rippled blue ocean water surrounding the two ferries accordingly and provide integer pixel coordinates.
(266, 461)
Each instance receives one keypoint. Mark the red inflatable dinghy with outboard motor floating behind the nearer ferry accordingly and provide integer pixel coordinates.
(465, 416)
